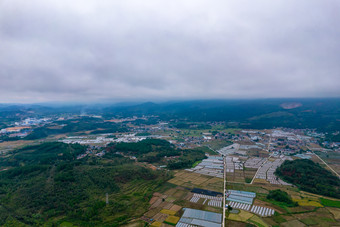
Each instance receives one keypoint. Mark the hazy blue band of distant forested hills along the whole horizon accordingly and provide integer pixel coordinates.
(322, 113)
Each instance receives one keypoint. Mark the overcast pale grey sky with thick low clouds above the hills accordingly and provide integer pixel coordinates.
(112, 50)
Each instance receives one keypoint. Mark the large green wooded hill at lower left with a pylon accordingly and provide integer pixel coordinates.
(47, 185)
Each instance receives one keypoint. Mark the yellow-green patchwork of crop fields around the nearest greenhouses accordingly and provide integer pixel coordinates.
(166, 205)
